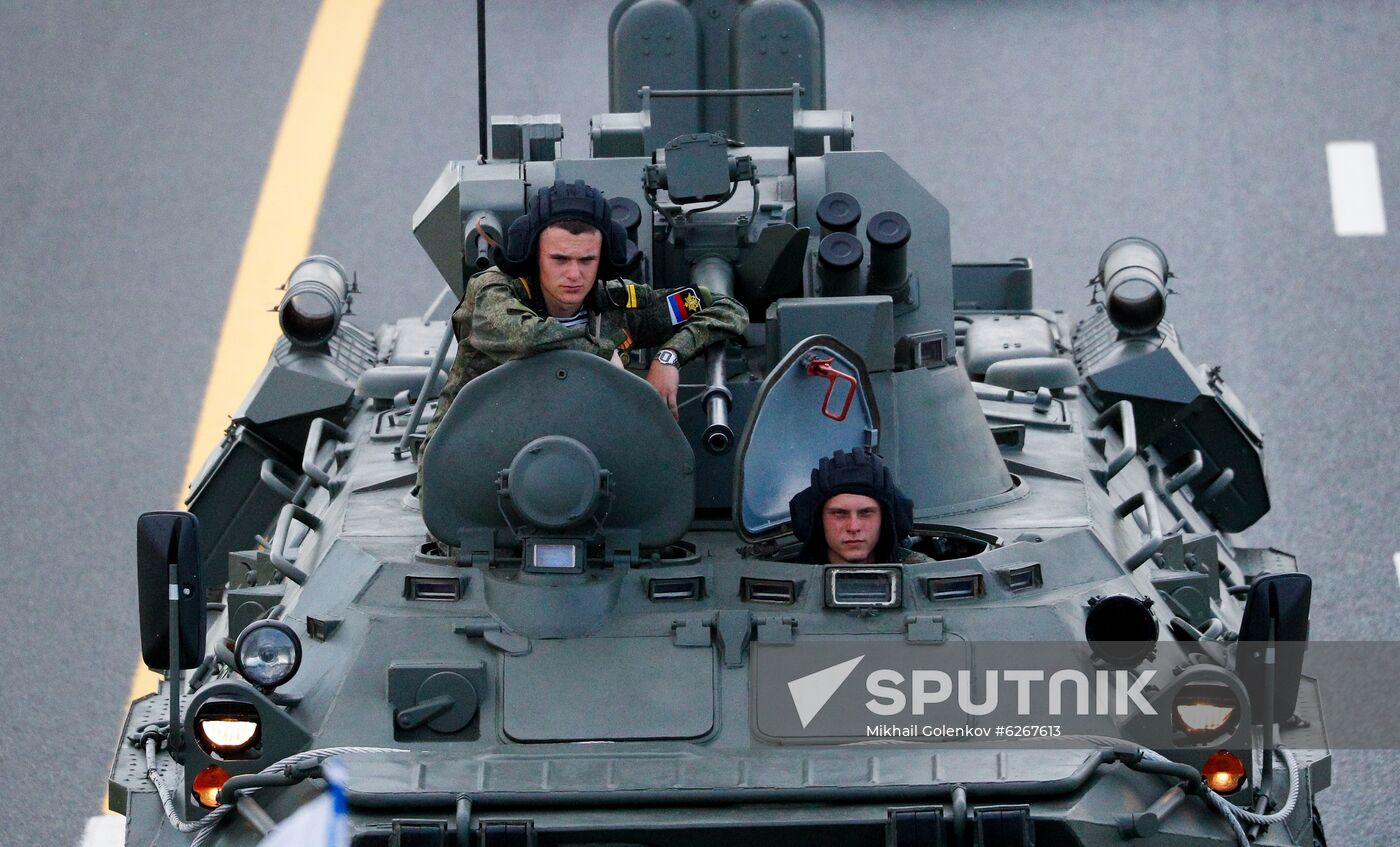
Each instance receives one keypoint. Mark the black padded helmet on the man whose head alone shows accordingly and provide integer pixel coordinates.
(857, 472)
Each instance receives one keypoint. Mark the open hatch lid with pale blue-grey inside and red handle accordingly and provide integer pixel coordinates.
(799, 419)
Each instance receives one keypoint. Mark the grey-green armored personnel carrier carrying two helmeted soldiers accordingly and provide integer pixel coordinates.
(590, 625)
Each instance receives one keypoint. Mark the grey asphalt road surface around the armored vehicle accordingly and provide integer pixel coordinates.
(138, 138)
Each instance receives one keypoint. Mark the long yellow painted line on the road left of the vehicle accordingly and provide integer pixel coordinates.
(283, 222)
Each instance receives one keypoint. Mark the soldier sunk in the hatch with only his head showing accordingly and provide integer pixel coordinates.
(853, 513)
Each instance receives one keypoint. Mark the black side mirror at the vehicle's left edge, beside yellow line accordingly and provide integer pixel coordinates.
(164, 540)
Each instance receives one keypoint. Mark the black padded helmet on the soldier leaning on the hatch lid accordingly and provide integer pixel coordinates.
(566, 201)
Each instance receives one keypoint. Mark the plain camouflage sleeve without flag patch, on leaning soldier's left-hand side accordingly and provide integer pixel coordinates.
(495, 323)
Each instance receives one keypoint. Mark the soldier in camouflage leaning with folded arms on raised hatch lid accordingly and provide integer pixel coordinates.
(561, 283)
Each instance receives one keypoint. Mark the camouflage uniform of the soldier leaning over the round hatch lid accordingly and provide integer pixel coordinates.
(498, 323)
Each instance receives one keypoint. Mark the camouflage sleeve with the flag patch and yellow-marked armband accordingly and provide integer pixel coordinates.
(654, 323)
